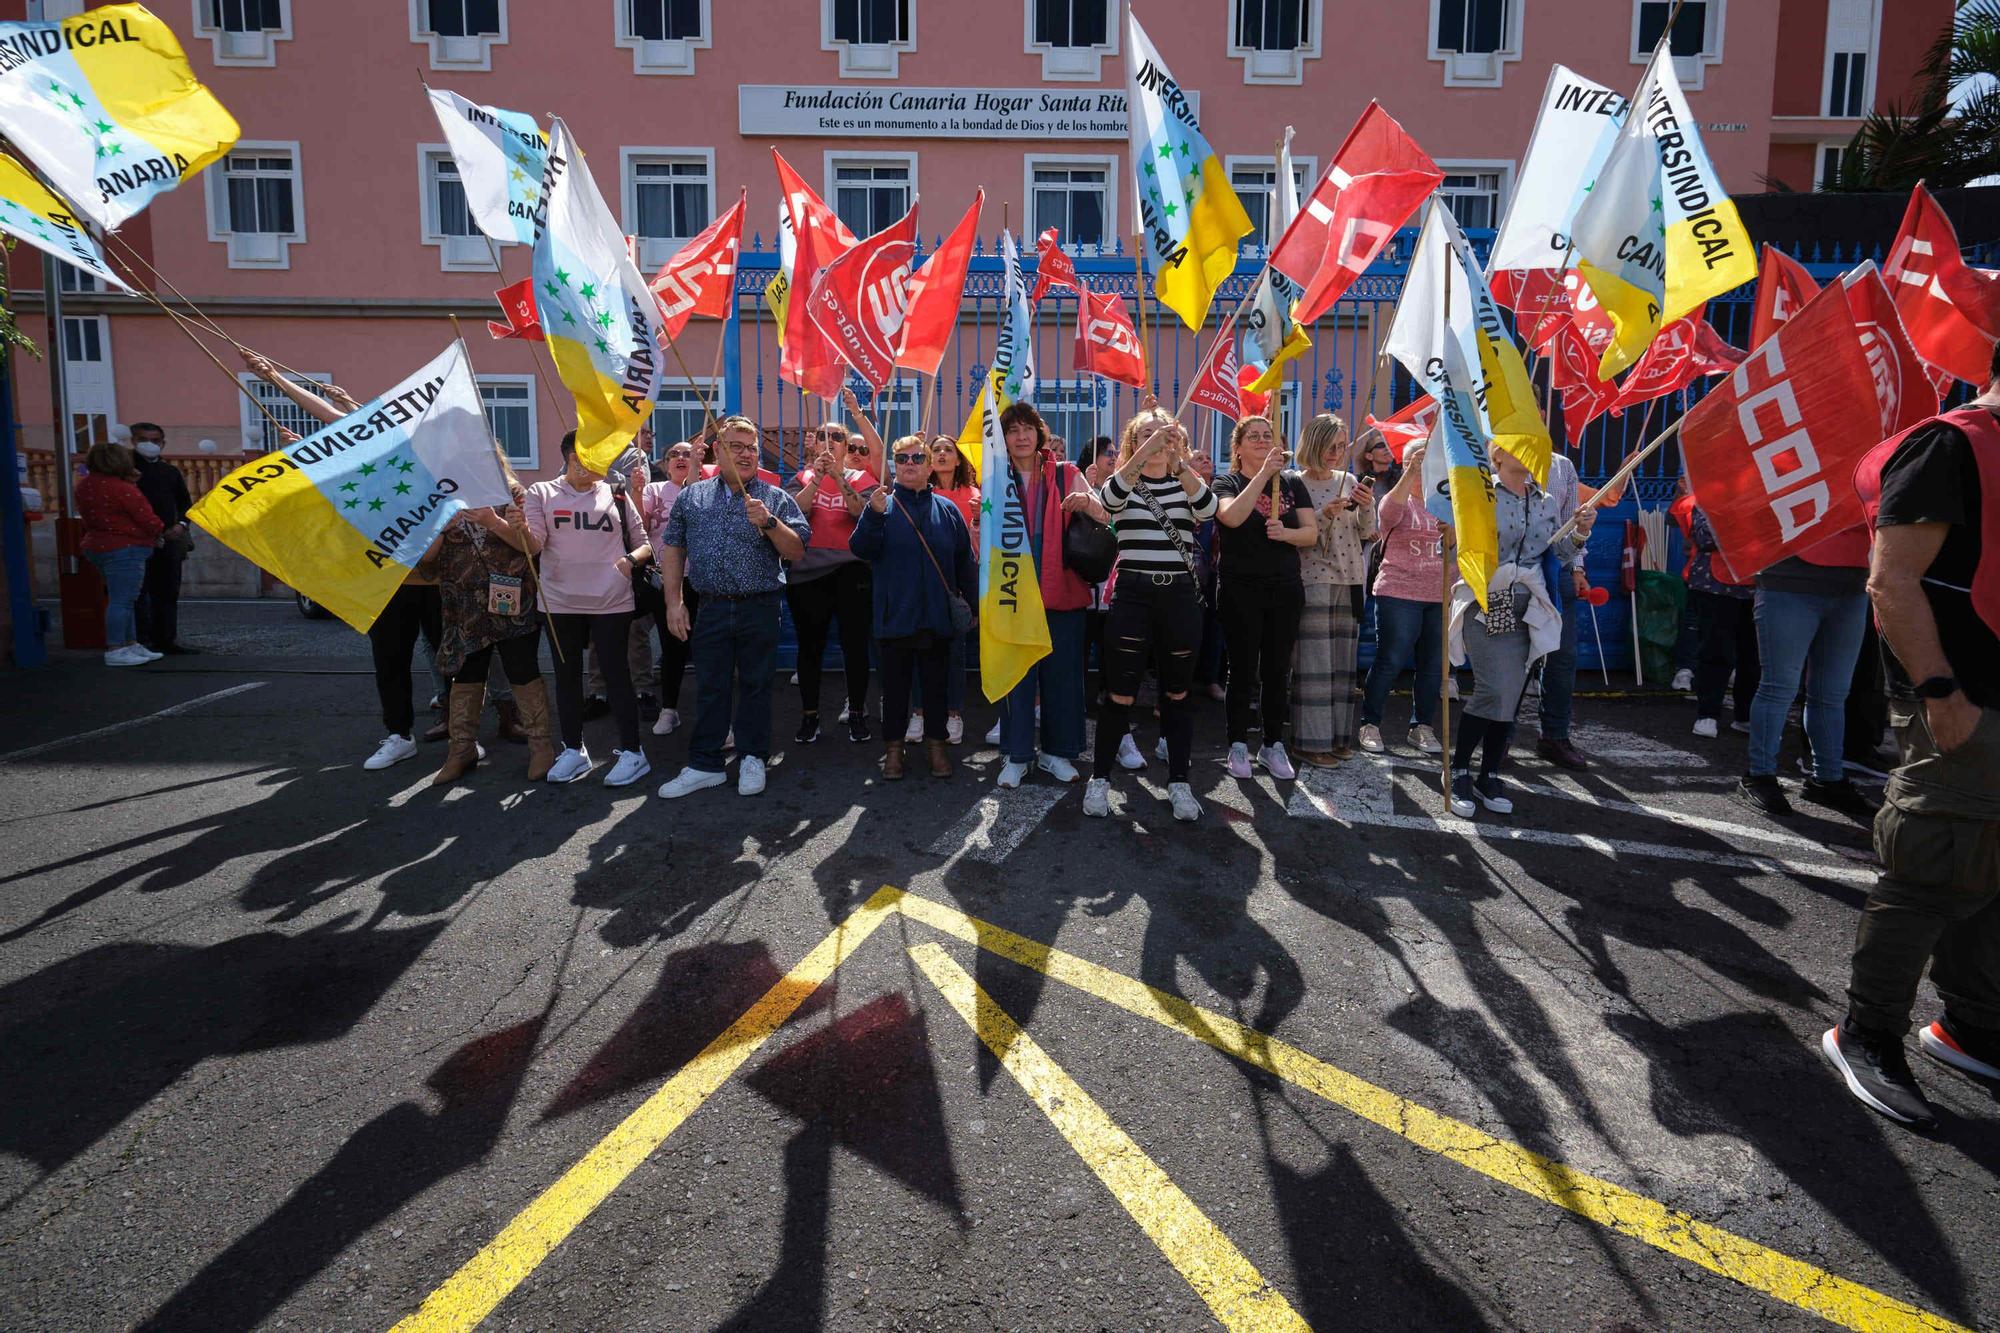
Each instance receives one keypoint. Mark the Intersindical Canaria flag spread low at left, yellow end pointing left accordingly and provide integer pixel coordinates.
(347, 513)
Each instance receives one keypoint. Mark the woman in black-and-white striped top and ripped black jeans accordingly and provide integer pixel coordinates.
(1155, 501)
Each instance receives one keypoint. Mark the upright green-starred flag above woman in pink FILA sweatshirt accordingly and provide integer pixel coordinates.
(603, 325)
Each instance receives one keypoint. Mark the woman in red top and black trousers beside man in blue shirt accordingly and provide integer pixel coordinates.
(833, 583)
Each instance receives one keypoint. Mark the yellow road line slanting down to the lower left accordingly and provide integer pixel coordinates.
(475, 1290)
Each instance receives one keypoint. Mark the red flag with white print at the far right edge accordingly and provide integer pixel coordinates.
(1949, 309)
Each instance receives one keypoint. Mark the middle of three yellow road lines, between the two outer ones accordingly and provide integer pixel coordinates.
(1213, 1266)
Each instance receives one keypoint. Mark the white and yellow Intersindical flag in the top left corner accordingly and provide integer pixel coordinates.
(107, 109)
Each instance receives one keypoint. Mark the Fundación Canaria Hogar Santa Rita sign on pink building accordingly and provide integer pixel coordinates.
(873, 111)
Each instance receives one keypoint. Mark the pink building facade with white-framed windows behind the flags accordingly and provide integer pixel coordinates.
(335, 241)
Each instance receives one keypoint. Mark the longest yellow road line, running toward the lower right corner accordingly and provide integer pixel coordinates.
(1543, 1178)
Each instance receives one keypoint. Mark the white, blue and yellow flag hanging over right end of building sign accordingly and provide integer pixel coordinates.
(1183, 199)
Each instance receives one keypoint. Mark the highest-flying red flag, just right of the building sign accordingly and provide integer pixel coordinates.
(1375, 183)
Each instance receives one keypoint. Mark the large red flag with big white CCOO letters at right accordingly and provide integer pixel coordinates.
(1773, 449)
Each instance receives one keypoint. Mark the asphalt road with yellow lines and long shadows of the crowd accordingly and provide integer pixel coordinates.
(285, 1044)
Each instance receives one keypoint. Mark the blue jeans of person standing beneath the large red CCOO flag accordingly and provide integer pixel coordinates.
(1811, 635)
